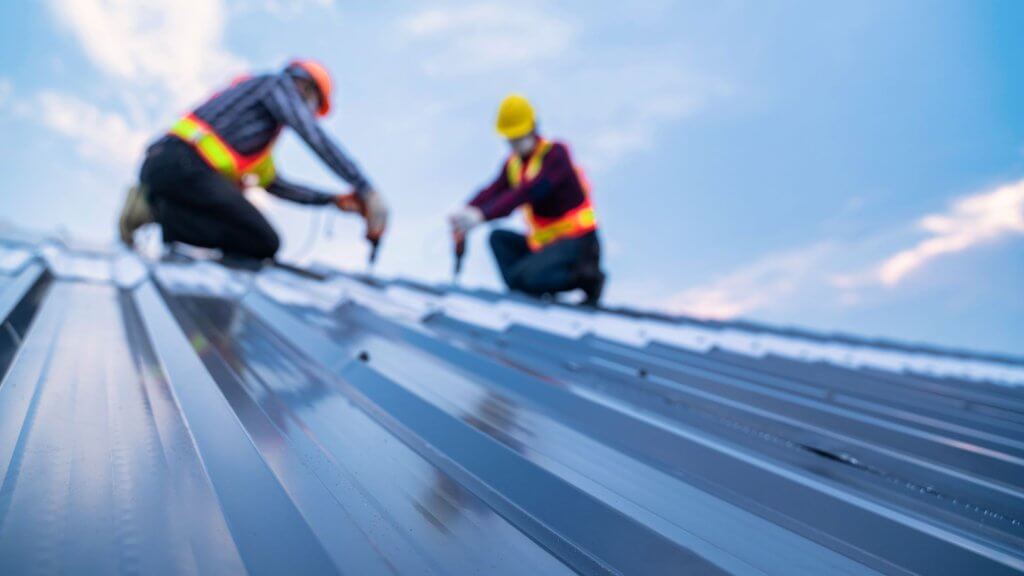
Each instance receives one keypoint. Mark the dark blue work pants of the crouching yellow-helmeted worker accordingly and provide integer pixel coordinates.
(559, 268)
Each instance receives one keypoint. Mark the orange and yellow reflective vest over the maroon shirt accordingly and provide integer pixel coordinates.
(543, 232)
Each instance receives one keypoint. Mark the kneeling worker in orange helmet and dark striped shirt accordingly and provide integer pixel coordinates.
(193, 178)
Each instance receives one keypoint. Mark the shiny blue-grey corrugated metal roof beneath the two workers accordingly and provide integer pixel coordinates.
(183, 418)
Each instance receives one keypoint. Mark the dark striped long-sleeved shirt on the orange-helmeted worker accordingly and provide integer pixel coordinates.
(251, 113)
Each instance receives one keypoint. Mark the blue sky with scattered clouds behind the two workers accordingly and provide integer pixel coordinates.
(843, 167)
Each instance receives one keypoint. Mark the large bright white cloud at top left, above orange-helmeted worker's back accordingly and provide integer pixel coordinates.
(162, 56)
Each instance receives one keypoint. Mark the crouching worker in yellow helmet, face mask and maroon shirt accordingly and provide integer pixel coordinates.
(561, 252)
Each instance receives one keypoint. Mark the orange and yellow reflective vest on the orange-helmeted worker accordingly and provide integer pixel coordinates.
(222, 157)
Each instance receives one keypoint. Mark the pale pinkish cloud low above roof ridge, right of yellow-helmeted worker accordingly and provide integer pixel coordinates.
(764, 283)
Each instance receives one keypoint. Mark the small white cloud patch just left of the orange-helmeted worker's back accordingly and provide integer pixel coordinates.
(99, 136)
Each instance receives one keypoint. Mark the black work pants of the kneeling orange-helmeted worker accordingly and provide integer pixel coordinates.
(196, 205)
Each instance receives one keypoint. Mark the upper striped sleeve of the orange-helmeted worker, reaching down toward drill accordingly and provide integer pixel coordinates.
(287, 105)
